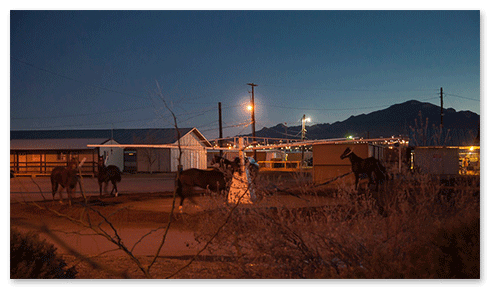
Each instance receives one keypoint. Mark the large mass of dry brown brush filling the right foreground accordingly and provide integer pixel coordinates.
(407, 230)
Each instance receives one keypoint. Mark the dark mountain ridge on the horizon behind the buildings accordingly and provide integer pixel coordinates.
(418, 120)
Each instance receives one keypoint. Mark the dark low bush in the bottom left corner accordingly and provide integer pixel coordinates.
(31, 258)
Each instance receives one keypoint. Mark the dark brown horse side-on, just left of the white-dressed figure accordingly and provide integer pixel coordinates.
(214, 180)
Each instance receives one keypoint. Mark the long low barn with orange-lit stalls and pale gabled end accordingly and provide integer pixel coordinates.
(34, 152)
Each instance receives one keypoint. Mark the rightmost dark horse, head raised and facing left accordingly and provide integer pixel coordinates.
(365, 166)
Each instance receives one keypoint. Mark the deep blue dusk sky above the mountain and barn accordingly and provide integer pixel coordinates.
(100, 69)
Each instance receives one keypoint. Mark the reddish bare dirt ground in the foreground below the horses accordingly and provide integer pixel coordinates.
(140, 220)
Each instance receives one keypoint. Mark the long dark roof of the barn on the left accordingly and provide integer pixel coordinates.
(121, 136)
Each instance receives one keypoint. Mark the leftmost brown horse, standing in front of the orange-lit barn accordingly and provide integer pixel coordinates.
(67, 178)
